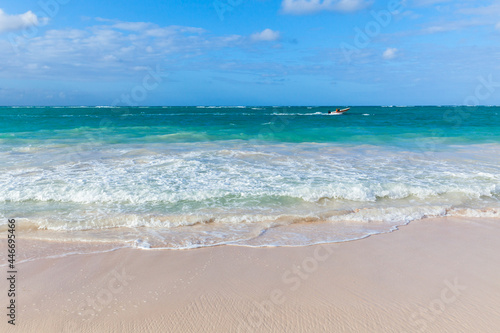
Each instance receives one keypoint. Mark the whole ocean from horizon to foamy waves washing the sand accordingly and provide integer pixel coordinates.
(188, 177)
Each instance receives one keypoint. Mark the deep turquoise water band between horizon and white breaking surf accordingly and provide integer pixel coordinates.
(397, 126)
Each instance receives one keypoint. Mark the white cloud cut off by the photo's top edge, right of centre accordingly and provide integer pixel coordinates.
(313, 6)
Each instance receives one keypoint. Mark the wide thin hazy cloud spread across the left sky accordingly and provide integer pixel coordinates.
(108, 48)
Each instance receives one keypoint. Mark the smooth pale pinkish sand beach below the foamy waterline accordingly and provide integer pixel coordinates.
(434, 275)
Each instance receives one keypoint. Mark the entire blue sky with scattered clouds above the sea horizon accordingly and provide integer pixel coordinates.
(250, 52)
